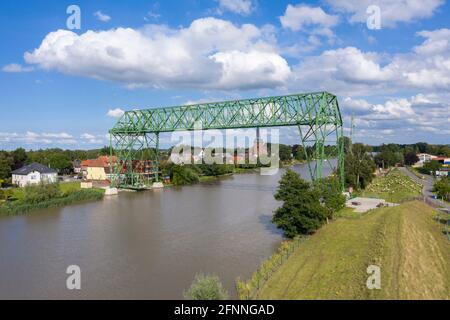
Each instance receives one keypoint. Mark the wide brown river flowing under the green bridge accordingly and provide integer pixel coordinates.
(145, 245)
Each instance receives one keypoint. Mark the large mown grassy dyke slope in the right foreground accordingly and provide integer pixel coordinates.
(405, 241)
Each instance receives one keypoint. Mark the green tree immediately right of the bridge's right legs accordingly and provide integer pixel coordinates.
(359, 167)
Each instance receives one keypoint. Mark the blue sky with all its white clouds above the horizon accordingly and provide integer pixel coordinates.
(65, 81)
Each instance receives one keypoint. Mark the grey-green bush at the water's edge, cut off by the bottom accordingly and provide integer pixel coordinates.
(206, 287)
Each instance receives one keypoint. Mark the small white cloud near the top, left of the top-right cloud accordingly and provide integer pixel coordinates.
(300, 16)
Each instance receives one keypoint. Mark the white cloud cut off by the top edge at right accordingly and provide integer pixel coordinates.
(392, 11)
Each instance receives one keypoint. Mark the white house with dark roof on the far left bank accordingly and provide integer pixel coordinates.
(34, 173)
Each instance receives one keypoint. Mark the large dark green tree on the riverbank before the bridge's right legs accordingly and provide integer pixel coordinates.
(301, 212)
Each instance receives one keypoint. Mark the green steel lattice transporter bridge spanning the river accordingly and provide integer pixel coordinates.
(135, 137)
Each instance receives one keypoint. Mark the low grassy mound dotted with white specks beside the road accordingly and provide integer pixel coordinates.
(394, 187)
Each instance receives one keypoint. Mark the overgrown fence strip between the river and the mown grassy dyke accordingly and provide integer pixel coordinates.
(249, 290)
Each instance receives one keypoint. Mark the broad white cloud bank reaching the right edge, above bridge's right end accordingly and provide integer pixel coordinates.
(350, 71)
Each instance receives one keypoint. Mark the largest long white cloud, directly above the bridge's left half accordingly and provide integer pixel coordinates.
(157, 56)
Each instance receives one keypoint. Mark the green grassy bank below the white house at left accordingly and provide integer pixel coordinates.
(69, 193)
